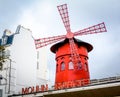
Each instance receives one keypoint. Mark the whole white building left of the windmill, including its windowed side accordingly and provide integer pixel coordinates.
(24, 67)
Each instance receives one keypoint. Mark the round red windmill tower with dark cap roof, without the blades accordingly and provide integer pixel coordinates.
(69, 73)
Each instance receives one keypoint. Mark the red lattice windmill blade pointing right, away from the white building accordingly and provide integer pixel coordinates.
(99, 28)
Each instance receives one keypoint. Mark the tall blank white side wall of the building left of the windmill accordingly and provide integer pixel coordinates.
(23, 55)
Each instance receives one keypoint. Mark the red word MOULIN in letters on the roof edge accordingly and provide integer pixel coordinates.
(34, 89)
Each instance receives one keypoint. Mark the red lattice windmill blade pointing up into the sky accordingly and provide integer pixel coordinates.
(63, 11)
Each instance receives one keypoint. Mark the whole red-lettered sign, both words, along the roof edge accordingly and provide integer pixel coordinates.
(58, 86)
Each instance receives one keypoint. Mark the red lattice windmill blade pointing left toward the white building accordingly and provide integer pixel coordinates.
(41, 42)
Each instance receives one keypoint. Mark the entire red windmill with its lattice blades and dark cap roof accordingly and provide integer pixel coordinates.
(71, 53)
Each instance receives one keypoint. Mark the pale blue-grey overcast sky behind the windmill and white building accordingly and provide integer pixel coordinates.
(42, 18)
